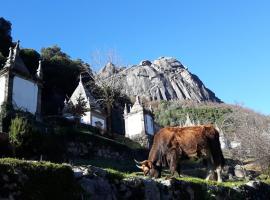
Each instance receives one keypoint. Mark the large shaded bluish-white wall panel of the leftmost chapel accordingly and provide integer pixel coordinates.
(24, 94)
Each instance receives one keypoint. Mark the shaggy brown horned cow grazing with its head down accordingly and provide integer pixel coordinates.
(173, 144)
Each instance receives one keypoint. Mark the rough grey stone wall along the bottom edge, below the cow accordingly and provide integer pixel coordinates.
(100, 184)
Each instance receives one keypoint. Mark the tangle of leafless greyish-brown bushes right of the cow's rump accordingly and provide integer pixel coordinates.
(250, 129)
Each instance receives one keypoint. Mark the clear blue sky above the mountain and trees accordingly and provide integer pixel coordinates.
(225, 43)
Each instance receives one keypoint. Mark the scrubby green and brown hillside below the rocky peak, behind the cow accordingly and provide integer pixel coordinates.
(237, 125)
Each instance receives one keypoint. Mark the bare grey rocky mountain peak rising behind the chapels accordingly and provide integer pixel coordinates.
(163, 79)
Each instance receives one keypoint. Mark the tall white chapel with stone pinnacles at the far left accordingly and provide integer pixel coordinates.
(18, 87)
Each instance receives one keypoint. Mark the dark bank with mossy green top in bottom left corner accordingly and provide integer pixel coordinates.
(38, 180)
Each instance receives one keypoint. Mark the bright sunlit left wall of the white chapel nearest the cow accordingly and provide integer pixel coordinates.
(134, 125)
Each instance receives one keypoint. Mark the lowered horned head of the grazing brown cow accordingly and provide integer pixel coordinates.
(149, 168)
